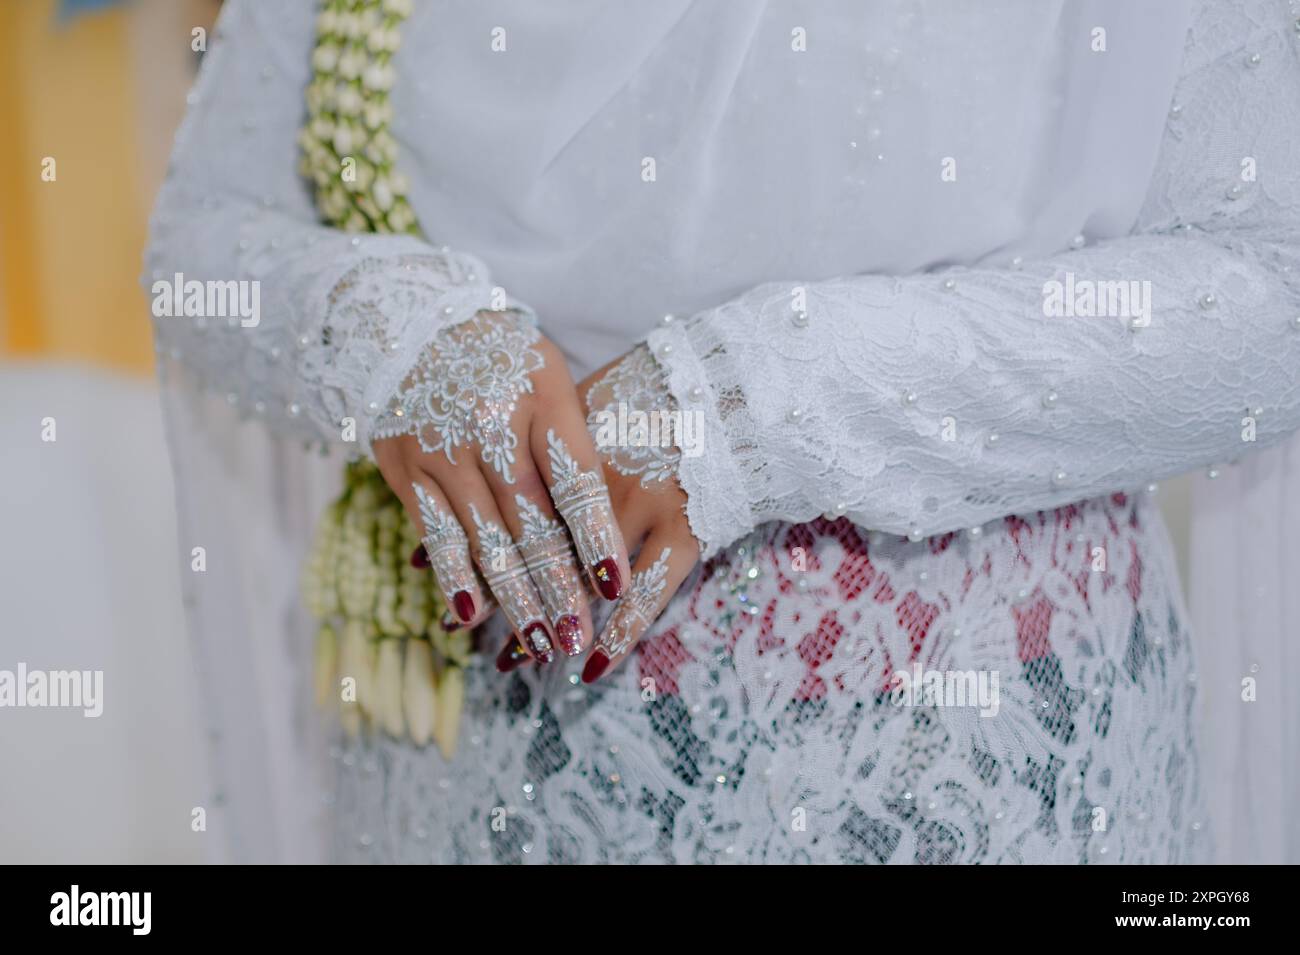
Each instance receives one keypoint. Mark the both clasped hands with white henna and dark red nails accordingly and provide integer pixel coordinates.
(488, 448)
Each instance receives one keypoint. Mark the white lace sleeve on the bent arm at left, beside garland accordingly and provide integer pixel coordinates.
(328, 324)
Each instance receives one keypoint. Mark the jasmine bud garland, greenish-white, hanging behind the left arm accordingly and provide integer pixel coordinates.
(382, 653)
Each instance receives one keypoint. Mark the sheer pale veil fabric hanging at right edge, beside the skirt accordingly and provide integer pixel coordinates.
(1246, 624)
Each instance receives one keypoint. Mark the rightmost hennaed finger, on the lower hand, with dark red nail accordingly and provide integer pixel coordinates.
(665, 561)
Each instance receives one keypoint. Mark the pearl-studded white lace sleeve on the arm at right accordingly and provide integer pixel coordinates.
(933, 402)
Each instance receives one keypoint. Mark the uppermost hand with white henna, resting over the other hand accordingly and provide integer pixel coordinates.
(483, 437)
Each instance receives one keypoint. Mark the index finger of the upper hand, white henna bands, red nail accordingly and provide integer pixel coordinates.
(573, 471)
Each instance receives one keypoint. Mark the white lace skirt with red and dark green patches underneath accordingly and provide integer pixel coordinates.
(1047, 715)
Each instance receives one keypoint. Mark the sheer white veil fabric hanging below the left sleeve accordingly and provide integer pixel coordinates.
(252, 500)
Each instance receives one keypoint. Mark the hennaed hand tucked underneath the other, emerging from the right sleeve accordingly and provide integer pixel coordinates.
(651, 507)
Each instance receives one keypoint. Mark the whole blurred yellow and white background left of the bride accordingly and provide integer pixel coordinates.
(89, 553)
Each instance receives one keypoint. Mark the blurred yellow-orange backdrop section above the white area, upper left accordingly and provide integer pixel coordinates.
(98, 94)
